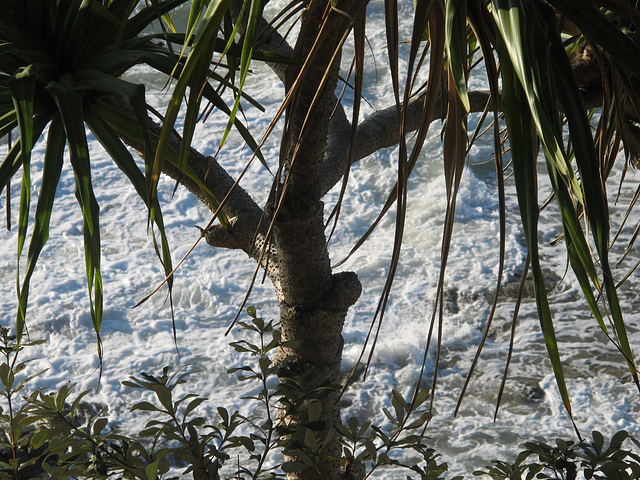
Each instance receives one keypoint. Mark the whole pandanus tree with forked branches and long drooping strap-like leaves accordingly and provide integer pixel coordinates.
(549, 66)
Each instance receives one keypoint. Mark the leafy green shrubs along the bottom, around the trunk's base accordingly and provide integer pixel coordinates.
(59, 435)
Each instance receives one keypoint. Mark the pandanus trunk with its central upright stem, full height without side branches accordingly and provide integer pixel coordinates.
(313, 301)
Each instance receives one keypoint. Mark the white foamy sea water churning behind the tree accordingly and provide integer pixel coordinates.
(211, 284)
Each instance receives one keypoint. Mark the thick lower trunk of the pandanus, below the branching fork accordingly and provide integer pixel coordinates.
(313, 306)
